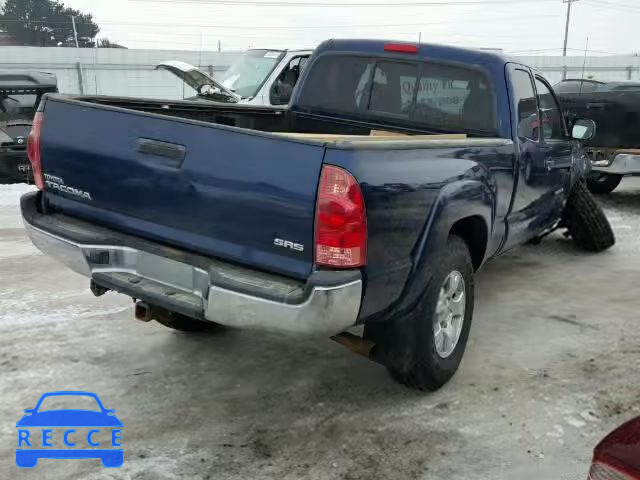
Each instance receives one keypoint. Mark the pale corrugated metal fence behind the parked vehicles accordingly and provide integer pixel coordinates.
(131, 73)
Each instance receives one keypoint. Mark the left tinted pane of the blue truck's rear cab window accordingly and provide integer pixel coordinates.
(337, 83)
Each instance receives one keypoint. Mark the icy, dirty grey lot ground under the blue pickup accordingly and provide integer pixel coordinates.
(551, 366)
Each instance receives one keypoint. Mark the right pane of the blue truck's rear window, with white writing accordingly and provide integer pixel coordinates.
(454, 98)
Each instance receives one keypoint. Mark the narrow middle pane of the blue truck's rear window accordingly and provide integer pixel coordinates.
(393, 87)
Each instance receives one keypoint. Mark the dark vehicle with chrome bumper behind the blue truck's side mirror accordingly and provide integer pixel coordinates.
(615, 106)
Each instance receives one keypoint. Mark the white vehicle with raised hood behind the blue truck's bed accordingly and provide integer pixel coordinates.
(259, 77)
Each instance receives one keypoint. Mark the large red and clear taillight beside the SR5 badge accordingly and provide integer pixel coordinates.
(341, 221)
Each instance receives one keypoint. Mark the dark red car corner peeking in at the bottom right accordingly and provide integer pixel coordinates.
(617, 457)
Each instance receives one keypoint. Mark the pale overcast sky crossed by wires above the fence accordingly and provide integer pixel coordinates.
(517, 26)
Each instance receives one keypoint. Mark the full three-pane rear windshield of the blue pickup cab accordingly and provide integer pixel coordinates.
(431, 94)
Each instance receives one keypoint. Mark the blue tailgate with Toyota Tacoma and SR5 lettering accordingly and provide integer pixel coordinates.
(216, 190)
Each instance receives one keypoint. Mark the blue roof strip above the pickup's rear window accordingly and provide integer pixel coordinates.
(424, 50)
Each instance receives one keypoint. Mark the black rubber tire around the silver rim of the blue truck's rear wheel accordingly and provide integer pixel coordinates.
(410, 351)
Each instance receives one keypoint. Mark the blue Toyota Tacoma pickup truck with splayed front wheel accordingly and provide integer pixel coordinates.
(395, 173)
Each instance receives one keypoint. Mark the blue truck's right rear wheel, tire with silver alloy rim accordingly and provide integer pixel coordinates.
(424, 350)
